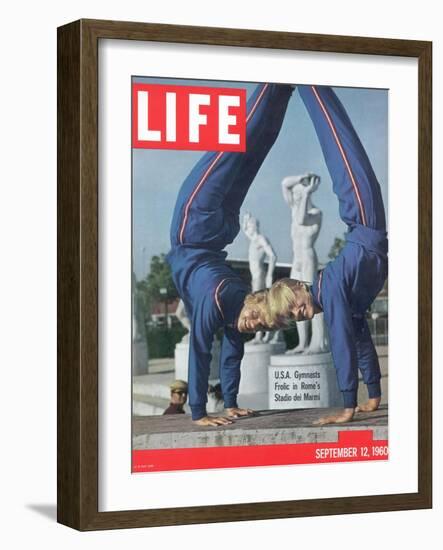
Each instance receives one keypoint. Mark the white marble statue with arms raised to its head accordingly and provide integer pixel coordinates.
(305, 227)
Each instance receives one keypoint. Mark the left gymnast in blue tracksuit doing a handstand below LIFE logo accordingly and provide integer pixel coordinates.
(205, 220)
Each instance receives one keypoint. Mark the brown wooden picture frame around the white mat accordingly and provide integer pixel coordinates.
(78, 464)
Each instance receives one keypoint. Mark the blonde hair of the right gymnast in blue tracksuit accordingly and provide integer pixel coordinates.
(282, 299)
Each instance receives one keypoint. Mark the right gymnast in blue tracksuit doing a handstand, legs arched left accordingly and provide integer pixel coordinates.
(347, 286)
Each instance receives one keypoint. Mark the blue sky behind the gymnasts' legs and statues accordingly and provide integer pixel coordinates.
(158, 175)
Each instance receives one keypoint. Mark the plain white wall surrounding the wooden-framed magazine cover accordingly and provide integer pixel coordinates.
(28, 278)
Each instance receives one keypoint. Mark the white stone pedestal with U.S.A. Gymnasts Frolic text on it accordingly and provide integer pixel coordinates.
(303, 381)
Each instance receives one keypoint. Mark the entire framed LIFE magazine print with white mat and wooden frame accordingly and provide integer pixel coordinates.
(232, 204)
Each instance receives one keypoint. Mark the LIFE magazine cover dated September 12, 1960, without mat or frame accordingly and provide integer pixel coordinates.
(260, 274)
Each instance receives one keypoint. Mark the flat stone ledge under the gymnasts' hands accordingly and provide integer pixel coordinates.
(265, 428)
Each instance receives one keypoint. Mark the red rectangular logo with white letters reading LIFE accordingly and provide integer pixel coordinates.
(188, 118)
